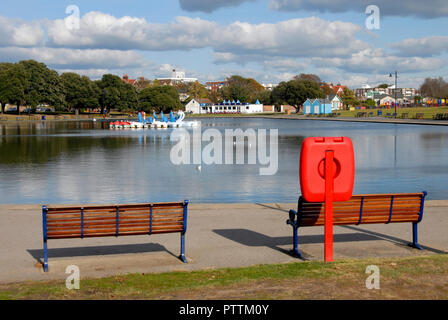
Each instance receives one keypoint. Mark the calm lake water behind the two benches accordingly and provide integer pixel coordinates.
(85, 162)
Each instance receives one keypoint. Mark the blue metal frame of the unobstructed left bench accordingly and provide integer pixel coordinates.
(182, 236)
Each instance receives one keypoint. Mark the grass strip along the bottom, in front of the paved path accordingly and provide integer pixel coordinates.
(423, 277)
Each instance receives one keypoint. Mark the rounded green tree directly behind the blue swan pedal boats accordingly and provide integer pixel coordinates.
(159, 98)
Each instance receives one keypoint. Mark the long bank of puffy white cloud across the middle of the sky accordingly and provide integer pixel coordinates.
(297, 37)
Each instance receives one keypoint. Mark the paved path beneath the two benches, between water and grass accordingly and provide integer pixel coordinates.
(228, 235)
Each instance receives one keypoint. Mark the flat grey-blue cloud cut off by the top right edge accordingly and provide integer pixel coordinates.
(415, 8)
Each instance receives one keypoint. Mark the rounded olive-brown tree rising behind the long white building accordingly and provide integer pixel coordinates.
(243, 89)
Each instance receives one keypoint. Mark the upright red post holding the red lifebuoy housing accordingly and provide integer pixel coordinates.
(329, 190)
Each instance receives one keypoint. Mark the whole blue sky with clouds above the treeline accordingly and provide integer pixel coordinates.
(269, 40)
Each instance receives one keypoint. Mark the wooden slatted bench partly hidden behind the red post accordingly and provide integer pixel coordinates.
(362, 209)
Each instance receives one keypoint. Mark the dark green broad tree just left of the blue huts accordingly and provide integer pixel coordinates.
(295, 92)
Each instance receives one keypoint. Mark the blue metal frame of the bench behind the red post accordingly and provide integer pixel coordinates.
(295, 221)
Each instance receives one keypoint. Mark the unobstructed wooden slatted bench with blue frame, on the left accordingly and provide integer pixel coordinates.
(114, 221)
